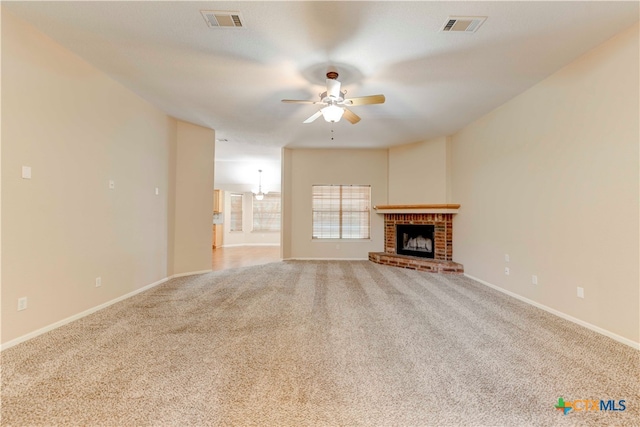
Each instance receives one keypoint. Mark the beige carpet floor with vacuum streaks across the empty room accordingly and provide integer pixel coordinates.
(319, 344)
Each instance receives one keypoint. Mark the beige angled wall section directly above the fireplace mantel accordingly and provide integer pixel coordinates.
(418, 173)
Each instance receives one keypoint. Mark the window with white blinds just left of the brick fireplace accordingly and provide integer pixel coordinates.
(341, 211)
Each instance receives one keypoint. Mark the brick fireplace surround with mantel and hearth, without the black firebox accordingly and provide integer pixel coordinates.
(443, 239)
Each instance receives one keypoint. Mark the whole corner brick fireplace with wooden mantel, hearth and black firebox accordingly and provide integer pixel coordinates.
(436, 253)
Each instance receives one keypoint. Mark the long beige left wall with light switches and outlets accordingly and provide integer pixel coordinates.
(65, 226)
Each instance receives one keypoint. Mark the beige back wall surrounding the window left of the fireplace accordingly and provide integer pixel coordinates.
(304, 168)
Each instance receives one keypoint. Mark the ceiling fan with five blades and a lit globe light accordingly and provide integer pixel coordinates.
(334, 103)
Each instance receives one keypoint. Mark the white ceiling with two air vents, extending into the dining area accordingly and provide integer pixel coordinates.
(232, 80)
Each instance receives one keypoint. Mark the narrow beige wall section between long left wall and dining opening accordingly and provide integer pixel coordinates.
(195, 154)
